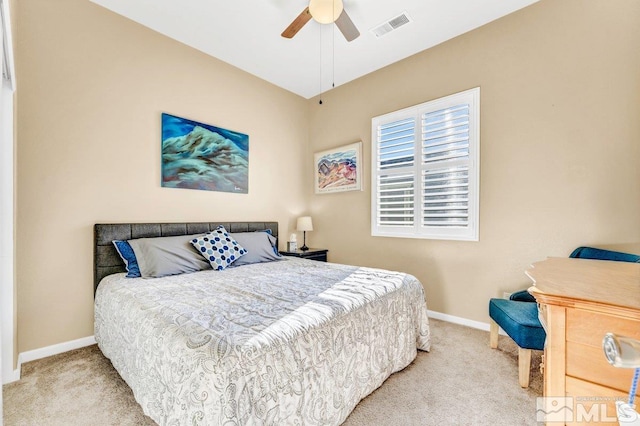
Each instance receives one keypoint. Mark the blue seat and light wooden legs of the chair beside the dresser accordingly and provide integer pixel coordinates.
(520, 321)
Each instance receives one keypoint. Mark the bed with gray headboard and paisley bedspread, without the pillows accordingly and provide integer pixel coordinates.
(291, 341)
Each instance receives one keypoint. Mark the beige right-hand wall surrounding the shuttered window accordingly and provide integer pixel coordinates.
(560, 147)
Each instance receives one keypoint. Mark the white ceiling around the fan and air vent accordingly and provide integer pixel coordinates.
(246, 34)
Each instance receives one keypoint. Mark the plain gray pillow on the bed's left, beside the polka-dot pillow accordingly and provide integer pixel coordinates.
(161, 256)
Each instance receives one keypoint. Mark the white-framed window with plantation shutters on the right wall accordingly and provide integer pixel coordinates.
(425, 170)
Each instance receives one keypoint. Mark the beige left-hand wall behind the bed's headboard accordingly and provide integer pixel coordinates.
(92, 86)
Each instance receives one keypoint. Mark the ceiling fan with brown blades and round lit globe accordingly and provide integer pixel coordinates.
(324, 12)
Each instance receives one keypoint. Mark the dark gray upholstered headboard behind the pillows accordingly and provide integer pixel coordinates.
(106, 260)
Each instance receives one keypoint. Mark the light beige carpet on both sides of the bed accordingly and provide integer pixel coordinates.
(460, 382)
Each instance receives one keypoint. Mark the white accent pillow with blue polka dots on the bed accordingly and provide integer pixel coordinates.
(218, 248)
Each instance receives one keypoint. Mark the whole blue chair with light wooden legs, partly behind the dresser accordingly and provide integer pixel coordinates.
(518, 316)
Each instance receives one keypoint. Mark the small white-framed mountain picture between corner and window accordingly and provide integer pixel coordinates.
(339, 169)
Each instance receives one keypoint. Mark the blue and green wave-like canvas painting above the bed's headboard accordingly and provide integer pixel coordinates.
(202, 156)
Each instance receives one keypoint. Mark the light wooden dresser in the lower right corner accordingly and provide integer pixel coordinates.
(580, 301)
